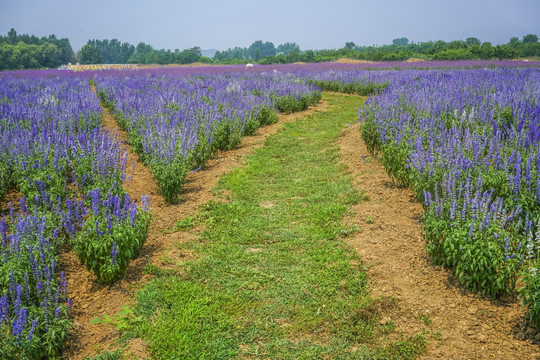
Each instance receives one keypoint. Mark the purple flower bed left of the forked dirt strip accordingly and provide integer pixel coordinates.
(64, 174)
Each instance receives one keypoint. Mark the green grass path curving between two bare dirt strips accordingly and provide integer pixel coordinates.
(273, 279)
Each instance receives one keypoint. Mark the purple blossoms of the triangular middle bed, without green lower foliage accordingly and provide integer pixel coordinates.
(168, 114)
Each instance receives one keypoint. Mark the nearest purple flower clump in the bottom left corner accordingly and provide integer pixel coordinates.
(35, 291)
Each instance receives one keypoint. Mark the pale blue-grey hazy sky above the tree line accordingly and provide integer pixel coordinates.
(312, 24)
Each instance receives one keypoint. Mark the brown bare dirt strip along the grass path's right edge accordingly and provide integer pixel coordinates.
(461, 325)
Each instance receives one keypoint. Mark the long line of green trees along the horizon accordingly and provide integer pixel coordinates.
(31, 52)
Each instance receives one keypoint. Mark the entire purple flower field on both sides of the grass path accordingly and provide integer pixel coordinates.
(464, 136)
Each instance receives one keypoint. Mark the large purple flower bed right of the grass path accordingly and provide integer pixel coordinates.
(467, 141)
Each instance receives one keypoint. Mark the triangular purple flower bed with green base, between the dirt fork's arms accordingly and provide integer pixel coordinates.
(176, 123)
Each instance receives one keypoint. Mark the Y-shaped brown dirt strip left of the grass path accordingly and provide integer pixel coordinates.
(93, 300)
